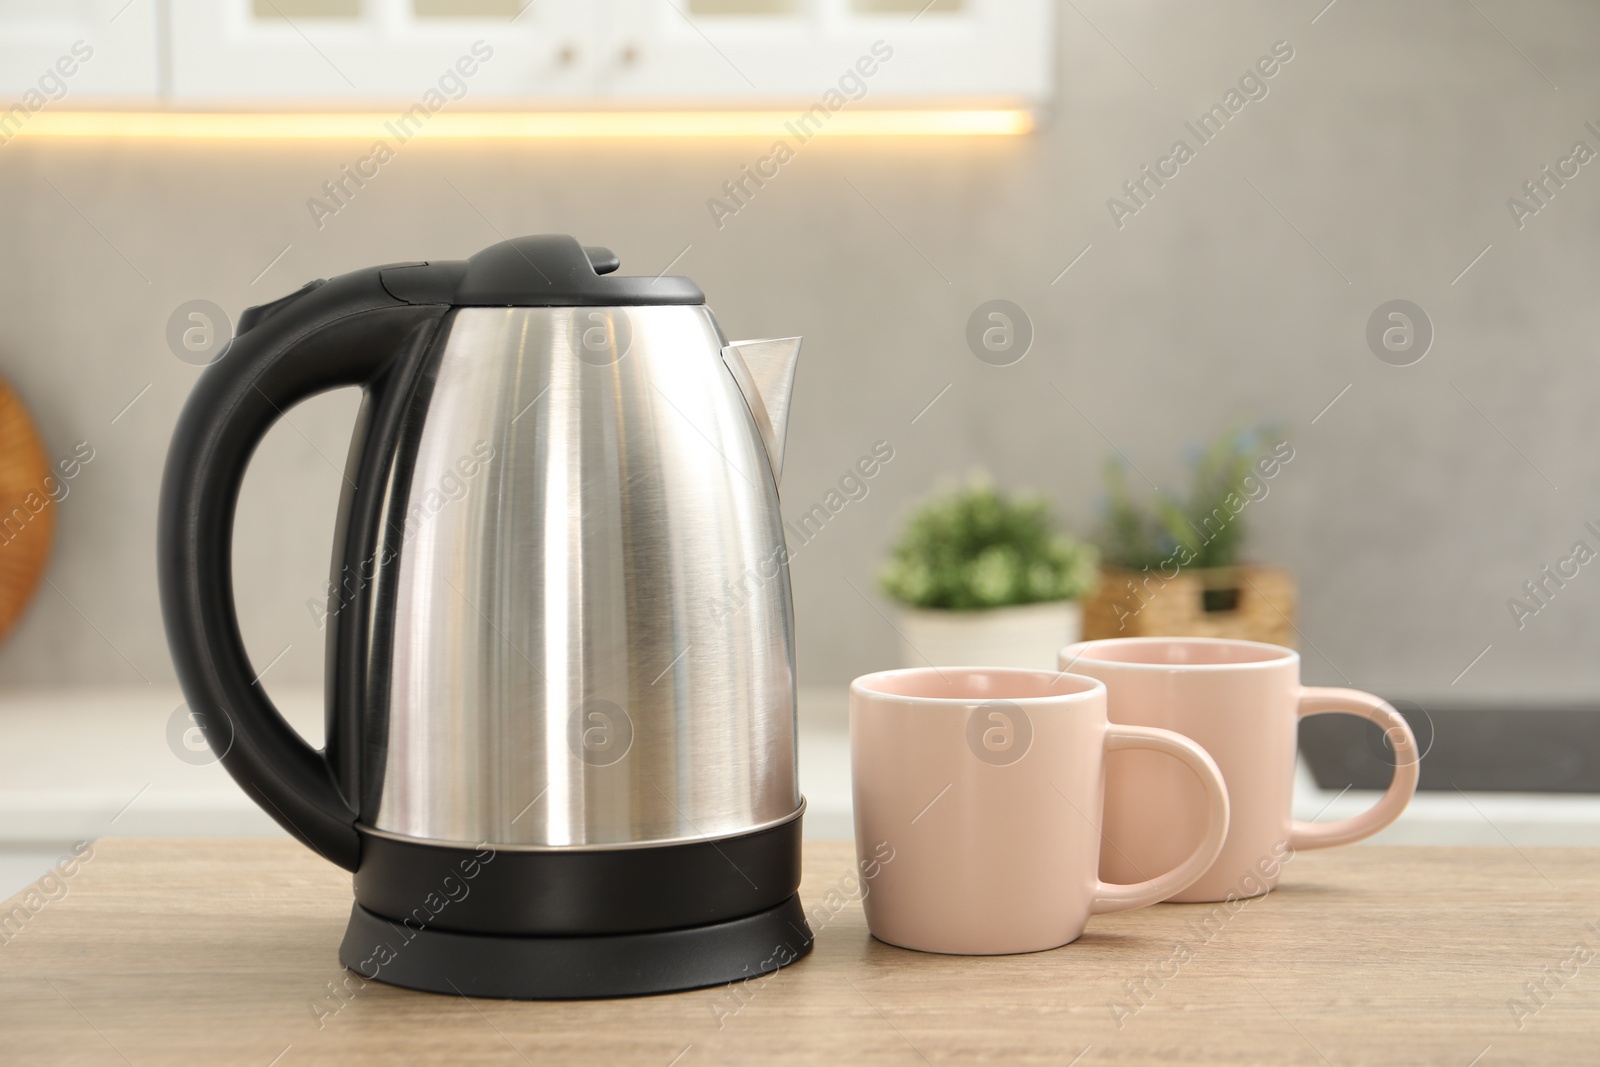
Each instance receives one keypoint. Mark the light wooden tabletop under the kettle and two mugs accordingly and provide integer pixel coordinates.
(214, 953)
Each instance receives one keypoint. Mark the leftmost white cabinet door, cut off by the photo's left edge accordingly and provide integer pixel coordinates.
(76, 54)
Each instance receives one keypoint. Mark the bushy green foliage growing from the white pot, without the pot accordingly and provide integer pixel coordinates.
(977, 548)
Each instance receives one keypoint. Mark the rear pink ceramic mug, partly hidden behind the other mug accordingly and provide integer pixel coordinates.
(1244, 703)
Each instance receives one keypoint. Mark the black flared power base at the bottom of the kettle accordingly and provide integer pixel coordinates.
(575, 967)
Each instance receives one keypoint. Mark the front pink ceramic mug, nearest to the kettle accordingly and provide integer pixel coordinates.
(985, 788)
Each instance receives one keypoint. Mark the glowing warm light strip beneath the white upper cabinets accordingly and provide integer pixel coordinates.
(514, 126)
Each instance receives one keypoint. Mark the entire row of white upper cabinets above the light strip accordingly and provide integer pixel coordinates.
(330, 55)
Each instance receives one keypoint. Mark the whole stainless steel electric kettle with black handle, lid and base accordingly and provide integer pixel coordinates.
(561, 701)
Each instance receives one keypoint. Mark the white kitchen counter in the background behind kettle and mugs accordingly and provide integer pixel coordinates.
(86, 764)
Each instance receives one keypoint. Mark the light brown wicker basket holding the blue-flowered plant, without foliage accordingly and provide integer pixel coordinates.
(1255, 604)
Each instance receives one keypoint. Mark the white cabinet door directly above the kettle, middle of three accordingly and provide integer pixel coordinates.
(330, 54)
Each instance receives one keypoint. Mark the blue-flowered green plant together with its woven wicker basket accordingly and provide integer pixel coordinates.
(1174, 565)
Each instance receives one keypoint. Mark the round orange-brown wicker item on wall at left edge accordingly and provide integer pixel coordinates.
(28, 514)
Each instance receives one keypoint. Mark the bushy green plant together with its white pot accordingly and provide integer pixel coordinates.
(986, 580)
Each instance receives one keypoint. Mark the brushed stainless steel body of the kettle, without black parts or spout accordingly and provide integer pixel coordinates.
(590, 641)
